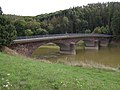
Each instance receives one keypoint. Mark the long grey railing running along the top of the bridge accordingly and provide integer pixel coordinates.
(60, 35)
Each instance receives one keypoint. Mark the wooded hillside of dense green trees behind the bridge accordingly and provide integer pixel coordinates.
(103, 18)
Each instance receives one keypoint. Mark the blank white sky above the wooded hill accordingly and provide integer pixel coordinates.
(37, 7)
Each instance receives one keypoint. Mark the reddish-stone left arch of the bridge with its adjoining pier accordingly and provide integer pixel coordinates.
(28, 48)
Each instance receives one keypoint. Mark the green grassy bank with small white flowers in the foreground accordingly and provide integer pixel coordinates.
(18, 73)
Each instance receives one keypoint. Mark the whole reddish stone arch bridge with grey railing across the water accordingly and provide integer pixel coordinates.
(66, 42)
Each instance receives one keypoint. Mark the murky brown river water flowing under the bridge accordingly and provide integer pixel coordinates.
(104, 56)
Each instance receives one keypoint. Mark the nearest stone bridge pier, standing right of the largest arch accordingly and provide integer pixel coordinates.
(69, 49)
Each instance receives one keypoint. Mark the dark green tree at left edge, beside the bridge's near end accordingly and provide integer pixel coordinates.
(7, 31)
